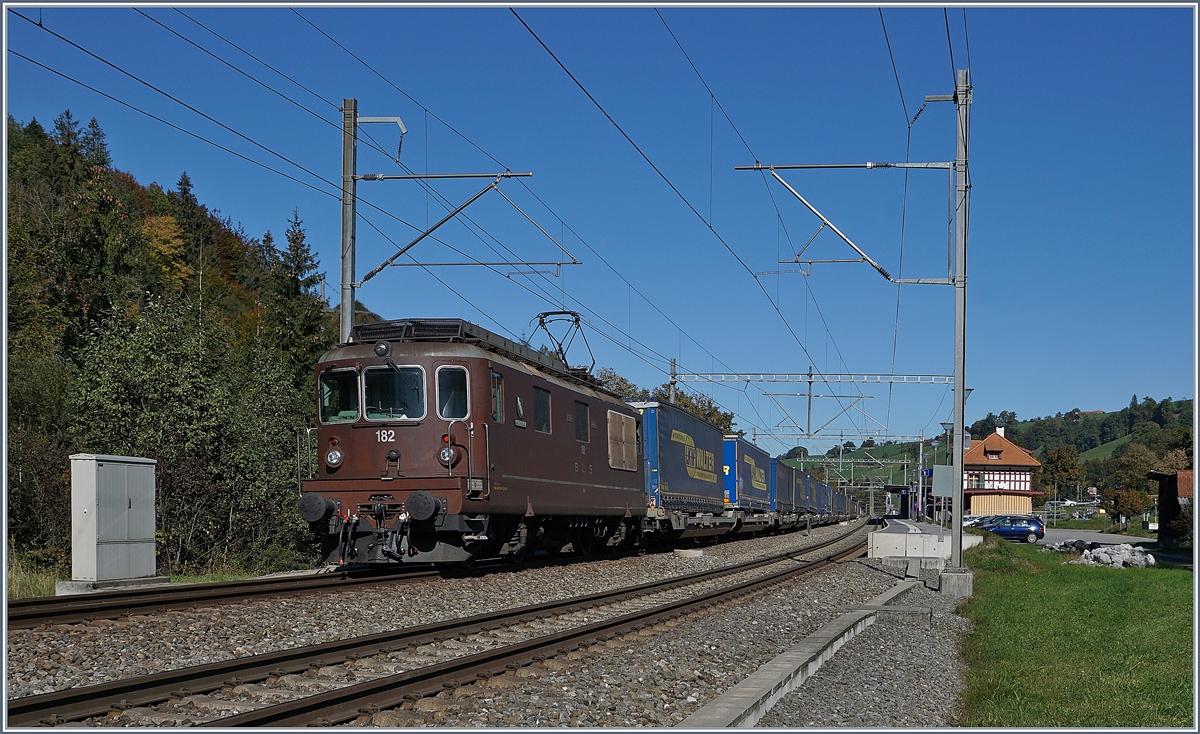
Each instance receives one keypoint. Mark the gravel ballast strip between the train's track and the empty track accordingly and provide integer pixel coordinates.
(41, 661)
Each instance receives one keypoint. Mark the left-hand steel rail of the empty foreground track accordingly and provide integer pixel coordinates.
(76, 705)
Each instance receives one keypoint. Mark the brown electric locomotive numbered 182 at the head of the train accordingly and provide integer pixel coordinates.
(441, 442)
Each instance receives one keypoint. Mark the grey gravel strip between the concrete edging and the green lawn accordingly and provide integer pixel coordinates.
(896, 673)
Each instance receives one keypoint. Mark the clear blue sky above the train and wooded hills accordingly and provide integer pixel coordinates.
(1082, 243)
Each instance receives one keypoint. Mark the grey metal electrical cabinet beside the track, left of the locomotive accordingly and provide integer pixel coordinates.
(112, 518)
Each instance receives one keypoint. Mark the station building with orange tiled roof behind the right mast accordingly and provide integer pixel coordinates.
(998, 478)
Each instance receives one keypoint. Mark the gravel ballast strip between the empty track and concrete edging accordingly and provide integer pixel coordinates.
(655, 678)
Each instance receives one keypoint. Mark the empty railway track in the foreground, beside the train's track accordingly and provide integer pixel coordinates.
(332, 682)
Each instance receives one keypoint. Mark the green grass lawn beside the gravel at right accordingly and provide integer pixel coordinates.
(1065, 646)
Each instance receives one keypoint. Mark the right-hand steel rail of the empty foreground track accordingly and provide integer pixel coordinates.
(389, 693)
